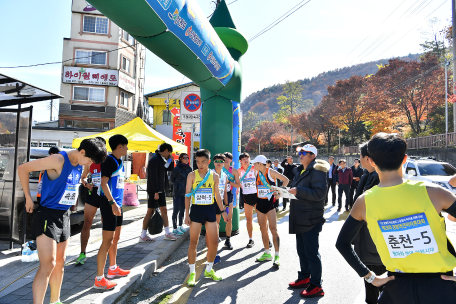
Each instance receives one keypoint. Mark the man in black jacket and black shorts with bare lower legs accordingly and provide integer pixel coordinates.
(157, 178)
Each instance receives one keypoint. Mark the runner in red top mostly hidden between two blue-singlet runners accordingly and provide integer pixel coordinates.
(91, 205)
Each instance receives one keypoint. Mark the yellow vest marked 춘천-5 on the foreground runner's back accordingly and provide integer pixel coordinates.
(411, 235)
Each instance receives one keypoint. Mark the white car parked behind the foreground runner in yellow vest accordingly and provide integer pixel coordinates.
(429, 170)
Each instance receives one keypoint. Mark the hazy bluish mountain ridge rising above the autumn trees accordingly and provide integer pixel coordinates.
(316, 87)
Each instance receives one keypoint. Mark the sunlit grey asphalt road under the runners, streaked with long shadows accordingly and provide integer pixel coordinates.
(247, 281)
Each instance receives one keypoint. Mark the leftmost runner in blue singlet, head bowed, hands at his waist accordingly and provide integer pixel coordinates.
(51, 220)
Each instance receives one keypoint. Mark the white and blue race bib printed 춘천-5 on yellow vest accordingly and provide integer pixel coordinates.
(407, 235)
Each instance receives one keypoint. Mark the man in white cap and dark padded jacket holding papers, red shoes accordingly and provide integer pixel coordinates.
(306, 219)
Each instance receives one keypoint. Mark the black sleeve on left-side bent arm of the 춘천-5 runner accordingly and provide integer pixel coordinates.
(343, 244)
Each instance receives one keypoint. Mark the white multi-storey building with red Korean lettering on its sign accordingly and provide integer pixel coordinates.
(102, 74)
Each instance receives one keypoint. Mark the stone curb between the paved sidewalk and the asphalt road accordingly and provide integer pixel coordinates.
(141, 271)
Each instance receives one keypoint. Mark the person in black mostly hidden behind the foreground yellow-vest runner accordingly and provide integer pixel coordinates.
(364, 246)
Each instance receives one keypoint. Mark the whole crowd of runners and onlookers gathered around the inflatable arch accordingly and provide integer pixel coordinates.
(395, 225)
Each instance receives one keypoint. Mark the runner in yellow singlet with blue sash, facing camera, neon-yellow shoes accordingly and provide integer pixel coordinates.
(202, 186)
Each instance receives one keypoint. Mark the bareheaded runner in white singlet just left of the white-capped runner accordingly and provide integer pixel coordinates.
(249, 192)
